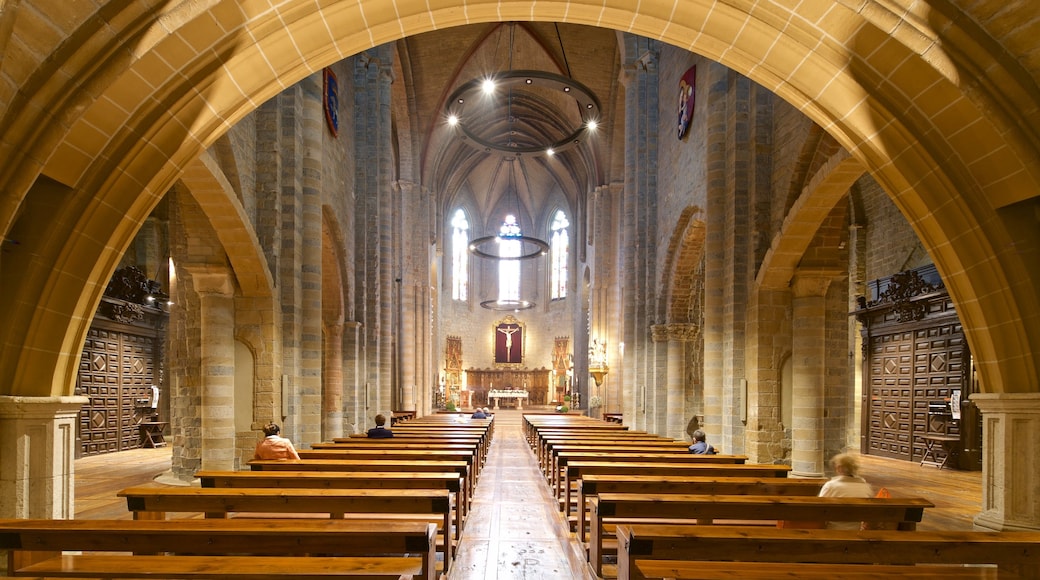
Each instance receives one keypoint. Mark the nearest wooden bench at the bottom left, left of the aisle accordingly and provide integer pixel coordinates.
(217, 548)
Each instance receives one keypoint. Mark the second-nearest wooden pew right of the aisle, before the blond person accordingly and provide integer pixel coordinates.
(629, 509)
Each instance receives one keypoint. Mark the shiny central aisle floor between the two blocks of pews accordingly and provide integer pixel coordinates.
(515, 531)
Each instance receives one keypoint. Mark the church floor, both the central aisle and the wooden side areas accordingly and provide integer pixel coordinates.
(515, 531)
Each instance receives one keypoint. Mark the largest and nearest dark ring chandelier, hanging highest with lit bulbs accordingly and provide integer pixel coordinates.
(521, 86)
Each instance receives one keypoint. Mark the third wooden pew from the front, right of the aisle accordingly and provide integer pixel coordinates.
(611, 484)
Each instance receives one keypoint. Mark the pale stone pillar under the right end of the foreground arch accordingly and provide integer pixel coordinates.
(1011, 462)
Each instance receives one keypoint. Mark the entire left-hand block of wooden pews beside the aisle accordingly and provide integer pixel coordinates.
(386, 509)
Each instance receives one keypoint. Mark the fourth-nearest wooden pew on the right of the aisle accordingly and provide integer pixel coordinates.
(577, 470)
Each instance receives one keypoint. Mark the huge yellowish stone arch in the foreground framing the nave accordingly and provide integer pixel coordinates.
(122, 101)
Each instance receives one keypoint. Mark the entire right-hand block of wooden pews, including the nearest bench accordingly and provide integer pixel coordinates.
(669, 518)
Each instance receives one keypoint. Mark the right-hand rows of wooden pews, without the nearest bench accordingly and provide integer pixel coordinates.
(623, 479)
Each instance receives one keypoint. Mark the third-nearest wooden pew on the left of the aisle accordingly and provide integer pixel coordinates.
(343, 481)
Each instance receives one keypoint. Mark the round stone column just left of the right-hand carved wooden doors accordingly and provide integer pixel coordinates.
(809, 353)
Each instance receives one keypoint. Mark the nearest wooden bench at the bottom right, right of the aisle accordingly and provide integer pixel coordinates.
(748, 551)
